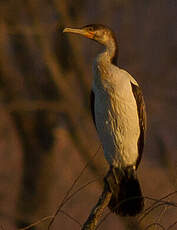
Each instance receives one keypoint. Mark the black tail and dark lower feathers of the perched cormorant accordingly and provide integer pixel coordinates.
(126, 197)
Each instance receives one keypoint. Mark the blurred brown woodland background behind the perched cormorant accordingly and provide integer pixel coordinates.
(46, 132)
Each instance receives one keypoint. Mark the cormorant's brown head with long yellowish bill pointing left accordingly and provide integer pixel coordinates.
(100, 33)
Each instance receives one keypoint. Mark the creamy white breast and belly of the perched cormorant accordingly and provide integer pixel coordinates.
(116, 115)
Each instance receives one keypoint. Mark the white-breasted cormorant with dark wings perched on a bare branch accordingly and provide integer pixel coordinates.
(119, 114)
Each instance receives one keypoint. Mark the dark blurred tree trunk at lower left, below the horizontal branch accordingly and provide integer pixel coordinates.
(36, 133)
